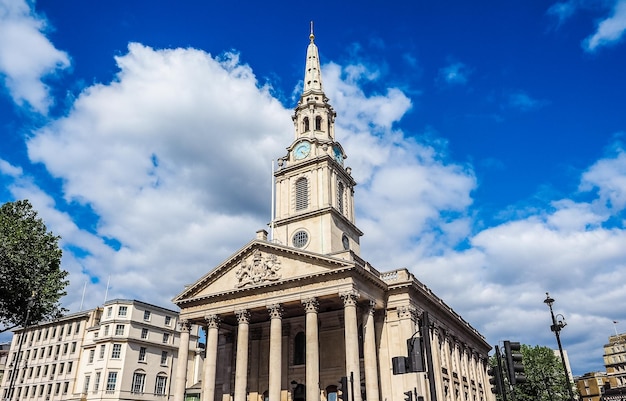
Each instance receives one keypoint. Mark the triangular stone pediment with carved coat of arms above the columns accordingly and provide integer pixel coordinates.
(260, 264)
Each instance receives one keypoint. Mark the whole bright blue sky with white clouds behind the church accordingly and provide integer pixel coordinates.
(487, 141)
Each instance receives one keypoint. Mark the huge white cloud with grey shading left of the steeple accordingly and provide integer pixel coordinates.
(174, 158)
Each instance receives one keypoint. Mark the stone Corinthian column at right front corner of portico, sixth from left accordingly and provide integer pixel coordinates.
(352, 342)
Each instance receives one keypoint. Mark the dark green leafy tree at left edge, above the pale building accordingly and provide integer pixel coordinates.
(31, 279)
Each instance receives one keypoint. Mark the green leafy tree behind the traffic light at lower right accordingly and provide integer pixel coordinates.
(546, 380)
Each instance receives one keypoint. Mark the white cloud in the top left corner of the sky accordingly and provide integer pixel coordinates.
(26, 55)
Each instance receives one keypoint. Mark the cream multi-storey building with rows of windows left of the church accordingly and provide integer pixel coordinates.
(125, 350)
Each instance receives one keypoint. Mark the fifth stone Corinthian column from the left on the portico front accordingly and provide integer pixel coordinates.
(312, 350)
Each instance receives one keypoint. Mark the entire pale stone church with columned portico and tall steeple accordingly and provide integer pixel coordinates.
(291, 315)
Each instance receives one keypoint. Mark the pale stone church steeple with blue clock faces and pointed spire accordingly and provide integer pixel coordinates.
(314, 207)
